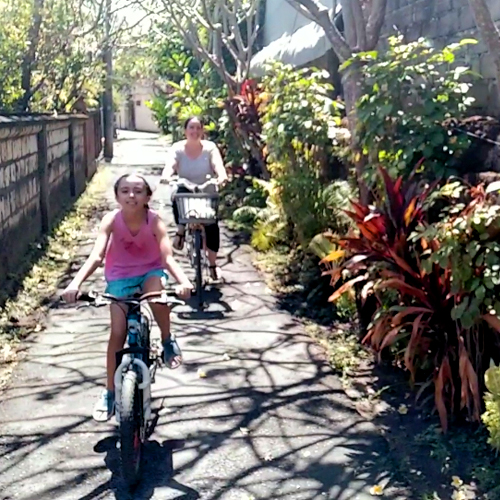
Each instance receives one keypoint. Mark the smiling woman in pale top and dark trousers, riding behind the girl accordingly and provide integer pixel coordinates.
(195, 159)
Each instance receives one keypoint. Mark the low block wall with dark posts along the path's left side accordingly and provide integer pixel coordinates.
(45, 164)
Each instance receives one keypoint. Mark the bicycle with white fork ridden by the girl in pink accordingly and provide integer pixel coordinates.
(135, 373)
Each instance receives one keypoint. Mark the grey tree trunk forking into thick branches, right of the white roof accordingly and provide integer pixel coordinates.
(363, 21)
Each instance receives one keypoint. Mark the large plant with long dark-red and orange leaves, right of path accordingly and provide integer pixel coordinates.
(386, 257)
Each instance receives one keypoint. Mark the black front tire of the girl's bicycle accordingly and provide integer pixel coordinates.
(130, 430)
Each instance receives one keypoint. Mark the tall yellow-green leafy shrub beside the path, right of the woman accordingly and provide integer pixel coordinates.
(301, 127)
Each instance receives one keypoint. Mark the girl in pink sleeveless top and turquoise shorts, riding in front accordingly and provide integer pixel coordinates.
(134, 244)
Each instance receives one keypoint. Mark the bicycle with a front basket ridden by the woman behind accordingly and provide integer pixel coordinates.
(197, 209)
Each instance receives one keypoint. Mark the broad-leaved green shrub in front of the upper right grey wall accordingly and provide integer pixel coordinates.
(410, 90)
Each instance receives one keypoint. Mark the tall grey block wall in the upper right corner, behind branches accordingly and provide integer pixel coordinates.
(444, 22)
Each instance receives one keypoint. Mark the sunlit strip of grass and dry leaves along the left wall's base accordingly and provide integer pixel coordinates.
(47, 262)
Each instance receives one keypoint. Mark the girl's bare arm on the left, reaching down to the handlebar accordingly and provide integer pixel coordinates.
(93, 261)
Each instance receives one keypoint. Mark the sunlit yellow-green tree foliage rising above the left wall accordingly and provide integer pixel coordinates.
(51, 51)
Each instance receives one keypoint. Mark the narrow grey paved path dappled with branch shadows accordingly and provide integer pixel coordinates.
(269, 423)
